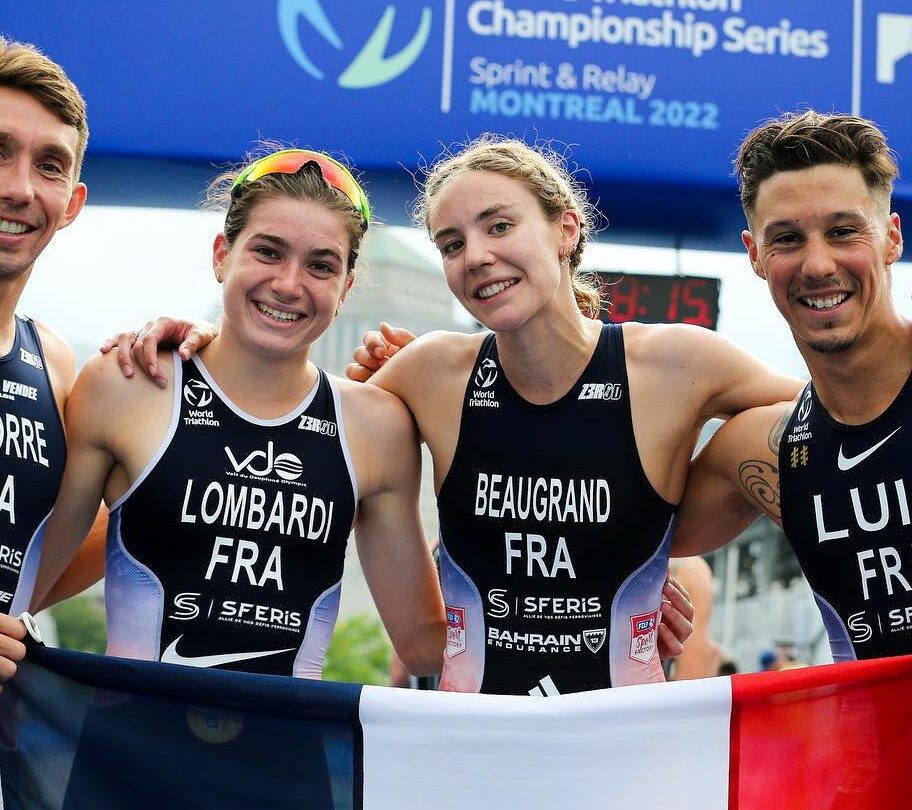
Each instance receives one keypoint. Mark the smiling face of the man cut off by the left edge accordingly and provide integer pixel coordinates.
(38, 193)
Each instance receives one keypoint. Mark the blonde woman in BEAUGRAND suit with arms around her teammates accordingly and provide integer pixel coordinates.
(560, 444)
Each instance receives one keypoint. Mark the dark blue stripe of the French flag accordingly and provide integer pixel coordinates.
(86, 731)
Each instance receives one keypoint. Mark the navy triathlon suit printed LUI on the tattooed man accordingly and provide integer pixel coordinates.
(845, 495)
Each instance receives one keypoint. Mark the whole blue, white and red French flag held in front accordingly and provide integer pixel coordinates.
(83, 731)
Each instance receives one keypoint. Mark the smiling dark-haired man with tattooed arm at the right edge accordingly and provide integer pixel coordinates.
(832, 468)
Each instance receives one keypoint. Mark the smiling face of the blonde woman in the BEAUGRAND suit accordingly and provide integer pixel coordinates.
(500, 252)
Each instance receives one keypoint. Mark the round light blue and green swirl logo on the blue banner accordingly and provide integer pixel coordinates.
(306, 21)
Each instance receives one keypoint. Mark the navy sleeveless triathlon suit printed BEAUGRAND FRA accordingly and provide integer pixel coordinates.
(554, 545)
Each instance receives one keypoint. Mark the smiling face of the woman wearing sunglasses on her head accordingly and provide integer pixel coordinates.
(285, 275)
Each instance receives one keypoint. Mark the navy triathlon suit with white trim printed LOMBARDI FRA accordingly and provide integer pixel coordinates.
(227, 551)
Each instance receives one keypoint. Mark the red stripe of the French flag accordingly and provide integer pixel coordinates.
(835, 737)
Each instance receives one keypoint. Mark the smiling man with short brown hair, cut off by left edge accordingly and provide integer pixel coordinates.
(43, 135)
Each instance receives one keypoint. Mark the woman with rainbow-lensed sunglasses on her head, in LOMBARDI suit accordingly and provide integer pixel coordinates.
(233, 491)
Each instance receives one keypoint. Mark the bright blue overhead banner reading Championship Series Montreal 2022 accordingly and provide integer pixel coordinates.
(653, 91)
